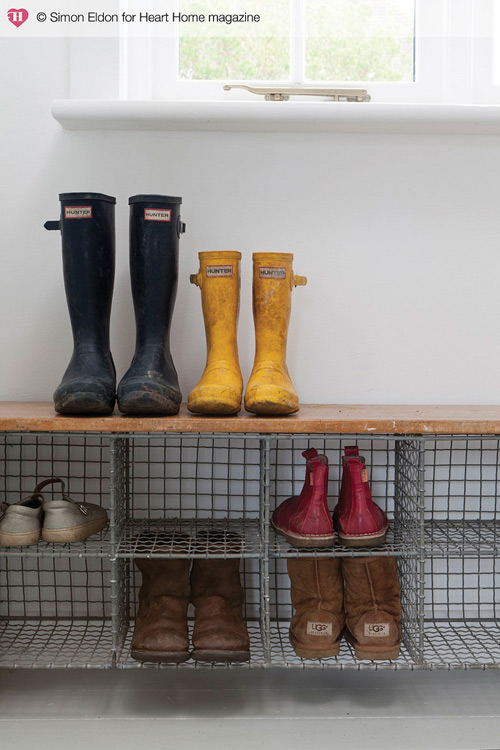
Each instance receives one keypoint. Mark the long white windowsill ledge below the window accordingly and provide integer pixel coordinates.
(317, 117)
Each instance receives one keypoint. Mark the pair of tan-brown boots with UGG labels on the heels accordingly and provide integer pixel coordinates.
(355, 598)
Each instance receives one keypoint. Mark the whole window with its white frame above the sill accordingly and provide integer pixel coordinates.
(400, 50)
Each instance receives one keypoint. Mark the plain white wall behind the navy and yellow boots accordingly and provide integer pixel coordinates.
(398, 236)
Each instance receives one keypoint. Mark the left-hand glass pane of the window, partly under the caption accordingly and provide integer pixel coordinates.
(237, 51)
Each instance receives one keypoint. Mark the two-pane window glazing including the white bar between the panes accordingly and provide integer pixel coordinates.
(311, 41)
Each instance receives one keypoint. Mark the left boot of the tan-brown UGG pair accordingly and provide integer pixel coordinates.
(317, 592)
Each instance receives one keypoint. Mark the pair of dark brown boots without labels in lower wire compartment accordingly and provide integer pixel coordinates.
(168, 587)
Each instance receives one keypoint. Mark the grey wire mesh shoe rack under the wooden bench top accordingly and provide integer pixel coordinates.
(72, 605)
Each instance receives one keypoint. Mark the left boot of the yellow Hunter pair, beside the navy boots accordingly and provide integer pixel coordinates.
(220, 388)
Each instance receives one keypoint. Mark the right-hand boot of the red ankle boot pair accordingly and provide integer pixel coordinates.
(357, 519)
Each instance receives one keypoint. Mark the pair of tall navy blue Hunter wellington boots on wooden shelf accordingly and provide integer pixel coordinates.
(87, 226)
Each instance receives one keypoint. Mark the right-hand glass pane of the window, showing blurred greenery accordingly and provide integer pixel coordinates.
(369, 40)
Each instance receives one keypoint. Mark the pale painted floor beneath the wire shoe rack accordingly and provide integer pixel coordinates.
(275, 709)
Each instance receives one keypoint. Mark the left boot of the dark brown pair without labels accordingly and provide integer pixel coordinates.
(161, 632)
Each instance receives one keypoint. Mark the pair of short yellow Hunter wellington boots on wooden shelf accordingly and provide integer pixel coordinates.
(269, 389)
